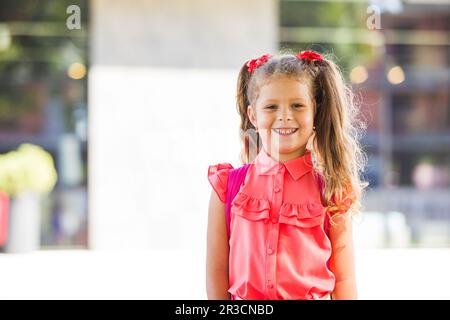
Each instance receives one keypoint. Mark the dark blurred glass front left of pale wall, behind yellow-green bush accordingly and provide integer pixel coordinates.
(43, 101)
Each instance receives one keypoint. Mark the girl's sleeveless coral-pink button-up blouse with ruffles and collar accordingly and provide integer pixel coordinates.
(278, 246)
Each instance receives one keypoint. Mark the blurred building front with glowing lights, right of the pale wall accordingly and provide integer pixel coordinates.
(396, 54)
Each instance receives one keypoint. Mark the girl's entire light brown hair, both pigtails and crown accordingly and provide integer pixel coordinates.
(339, 156)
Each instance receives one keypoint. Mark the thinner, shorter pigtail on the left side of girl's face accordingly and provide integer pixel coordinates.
(248, 135)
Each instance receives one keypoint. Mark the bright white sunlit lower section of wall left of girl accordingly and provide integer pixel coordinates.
(150, 145)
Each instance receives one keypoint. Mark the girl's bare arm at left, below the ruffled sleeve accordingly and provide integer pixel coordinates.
(217, 251)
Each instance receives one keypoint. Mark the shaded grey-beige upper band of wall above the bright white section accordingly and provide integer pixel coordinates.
(182, 33)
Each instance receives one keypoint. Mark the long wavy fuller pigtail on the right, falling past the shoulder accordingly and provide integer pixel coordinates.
(337, 141)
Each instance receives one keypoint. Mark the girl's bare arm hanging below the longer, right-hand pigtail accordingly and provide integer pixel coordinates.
(342, 259)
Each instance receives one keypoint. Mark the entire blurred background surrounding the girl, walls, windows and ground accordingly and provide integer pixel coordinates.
(111, 112)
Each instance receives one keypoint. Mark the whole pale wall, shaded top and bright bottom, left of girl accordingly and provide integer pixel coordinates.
(161, 109)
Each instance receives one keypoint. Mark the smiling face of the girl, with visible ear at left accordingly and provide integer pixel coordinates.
(284, 116)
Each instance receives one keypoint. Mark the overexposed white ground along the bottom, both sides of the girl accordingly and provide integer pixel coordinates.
(82, 274)
